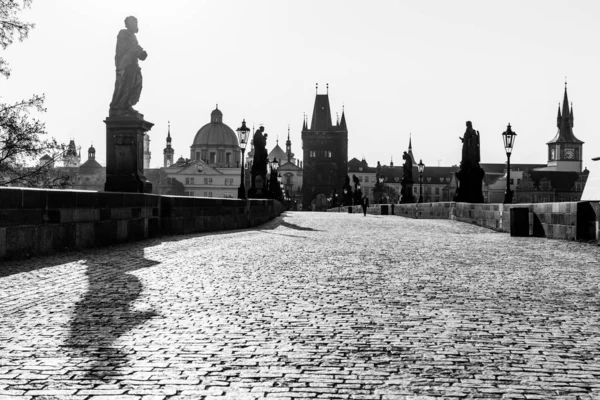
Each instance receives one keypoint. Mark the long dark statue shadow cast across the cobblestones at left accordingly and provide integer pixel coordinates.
(106, 312)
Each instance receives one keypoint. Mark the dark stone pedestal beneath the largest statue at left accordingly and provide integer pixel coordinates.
(125, 155)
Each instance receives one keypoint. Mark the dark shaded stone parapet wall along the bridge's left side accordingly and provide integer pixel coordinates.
(35, 222)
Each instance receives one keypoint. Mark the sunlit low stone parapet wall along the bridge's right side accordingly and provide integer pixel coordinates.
(568, 220)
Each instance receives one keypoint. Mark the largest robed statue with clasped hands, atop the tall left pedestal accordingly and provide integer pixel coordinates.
(128, 82)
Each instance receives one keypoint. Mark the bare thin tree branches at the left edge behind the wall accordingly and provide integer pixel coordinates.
(21, 136)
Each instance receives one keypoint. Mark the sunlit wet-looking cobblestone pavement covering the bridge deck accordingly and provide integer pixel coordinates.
(310, 305)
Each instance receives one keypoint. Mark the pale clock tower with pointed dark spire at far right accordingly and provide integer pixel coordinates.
(565, 151)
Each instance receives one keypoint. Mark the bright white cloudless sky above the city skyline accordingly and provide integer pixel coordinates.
(398, 67)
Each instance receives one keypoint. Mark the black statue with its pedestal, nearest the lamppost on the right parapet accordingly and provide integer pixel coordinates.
(470, 175)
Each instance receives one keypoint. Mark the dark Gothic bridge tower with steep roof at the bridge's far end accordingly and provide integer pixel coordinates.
(325, 151)
